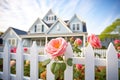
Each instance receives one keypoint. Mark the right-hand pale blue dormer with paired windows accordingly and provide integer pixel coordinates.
(76, 24)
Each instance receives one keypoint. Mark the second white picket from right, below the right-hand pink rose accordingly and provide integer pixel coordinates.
(89, 63)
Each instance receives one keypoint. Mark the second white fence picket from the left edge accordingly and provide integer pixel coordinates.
(19, 62)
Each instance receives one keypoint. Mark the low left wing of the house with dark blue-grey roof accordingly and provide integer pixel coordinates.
(12, 35)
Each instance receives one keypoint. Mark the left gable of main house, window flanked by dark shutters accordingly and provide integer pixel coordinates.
(38, 27)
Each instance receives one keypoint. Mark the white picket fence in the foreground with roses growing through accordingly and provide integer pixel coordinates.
(111, 62)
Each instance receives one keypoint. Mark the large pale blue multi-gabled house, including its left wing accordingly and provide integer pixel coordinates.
(47, 28)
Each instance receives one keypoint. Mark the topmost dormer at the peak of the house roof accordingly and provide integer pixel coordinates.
(50, 17)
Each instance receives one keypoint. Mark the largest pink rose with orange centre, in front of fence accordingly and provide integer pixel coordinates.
(56, 47)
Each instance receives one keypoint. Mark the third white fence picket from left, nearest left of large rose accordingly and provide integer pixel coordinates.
(33, 62)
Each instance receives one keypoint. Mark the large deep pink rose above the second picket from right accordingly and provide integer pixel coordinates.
(94, 41)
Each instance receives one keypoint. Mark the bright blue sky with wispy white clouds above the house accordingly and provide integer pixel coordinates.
(21, 14)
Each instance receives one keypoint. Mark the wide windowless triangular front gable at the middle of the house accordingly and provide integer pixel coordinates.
(59, 28)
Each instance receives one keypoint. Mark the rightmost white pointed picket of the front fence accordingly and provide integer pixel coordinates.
(112, 63)
